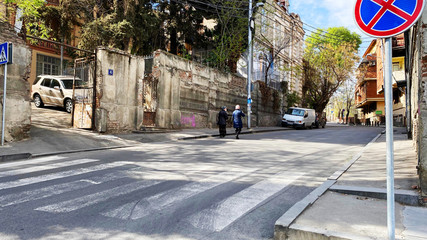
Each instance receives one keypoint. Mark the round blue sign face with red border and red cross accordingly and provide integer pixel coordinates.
(386, 18)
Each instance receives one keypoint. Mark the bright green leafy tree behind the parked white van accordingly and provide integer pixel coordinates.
(329, 61)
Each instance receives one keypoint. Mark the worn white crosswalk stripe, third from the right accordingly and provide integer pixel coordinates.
(88, 200)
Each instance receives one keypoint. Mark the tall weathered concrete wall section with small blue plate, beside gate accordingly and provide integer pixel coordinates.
(119, 107)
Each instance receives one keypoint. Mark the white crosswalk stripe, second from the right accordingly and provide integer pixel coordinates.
(146, 206)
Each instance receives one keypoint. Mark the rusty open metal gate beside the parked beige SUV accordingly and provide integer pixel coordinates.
(84, 95)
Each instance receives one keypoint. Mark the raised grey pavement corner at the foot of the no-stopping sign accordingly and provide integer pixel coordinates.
(340, 216)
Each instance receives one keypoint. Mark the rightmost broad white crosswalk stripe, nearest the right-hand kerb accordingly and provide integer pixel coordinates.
(222, 214)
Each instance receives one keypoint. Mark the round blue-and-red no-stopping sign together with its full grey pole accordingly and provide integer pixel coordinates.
(384, 19)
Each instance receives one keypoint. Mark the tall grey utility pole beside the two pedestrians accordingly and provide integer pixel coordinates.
(250, 57)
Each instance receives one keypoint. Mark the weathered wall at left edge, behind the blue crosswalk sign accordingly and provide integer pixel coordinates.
(18, 108)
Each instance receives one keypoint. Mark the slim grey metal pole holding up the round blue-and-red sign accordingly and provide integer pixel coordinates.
(389, 137)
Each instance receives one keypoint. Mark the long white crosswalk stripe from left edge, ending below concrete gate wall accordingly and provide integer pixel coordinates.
(52, 176)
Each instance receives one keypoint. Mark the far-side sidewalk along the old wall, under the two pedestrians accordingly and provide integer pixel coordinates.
(45, 140)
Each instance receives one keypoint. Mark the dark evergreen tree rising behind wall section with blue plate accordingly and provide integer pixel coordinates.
(130, 25)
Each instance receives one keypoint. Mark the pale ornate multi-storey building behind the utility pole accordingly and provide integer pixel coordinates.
(278, 46)
